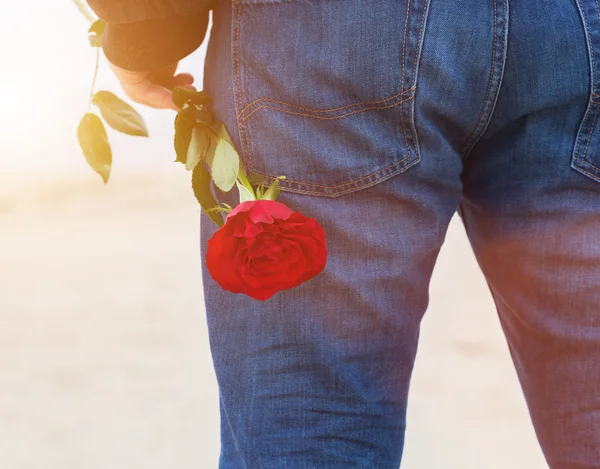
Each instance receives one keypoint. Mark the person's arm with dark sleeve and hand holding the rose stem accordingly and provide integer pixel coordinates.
(145, 39)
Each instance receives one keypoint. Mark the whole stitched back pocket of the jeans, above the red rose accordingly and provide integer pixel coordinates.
(324, 90)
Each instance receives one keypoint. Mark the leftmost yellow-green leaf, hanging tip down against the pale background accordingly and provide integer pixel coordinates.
(94, 143)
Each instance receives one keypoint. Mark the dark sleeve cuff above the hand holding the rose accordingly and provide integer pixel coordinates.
(144, 35)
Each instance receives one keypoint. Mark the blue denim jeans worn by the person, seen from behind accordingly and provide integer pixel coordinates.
(387, 117)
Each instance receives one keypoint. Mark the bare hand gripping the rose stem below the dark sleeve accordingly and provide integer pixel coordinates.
(153, 88)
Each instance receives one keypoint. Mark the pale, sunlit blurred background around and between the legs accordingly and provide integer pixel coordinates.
(104, 358)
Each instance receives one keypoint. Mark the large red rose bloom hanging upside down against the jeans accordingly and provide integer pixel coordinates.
(265, 247)
